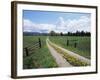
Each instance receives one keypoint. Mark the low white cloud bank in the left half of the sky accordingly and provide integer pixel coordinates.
(29, 26)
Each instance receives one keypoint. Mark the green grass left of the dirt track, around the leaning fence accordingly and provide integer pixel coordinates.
(38, 58)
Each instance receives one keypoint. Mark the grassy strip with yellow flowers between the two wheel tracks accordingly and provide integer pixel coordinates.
(72, 60)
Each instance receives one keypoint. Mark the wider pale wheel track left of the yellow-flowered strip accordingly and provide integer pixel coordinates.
(58, 58)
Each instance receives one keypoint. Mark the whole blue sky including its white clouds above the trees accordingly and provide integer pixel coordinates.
(46, 21)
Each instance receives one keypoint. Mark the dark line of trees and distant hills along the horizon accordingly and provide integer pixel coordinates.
(53, 33)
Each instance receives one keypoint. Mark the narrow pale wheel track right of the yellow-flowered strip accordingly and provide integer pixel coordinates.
(81, 58)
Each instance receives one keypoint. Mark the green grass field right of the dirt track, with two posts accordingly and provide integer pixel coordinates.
(82, 47)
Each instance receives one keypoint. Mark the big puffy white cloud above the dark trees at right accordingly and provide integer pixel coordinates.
(83, 23)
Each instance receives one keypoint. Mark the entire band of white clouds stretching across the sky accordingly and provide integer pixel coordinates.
(61, 25)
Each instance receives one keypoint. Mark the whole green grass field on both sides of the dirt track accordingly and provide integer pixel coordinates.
(42, 58)
